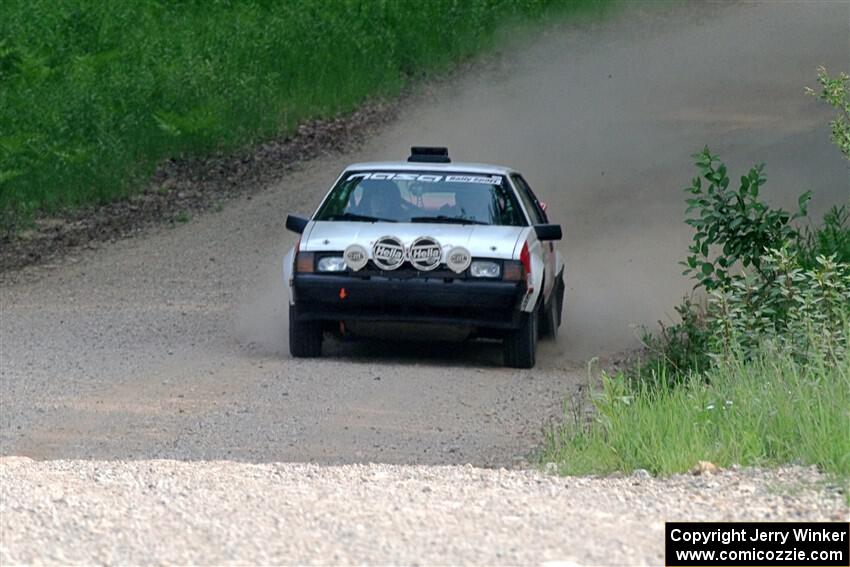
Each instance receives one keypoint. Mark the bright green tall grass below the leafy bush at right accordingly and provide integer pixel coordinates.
(766, 411)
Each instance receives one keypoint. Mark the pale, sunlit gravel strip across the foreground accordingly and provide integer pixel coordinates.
(149, 512)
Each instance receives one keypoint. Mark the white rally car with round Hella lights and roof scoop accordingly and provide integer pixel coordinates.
(426, 242)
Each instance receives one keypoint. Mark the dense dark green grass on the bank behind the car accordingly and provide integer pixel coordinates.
(94, 94)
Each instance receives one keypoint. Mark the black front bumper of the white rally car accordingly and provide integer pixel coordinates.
(483, 304)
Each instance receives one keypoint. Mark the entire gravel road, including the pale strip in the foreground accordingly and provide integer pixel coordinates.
(171, 345)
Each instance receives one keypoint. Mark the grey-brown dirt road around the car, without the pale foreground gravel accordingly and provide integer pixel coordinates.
(172, 345)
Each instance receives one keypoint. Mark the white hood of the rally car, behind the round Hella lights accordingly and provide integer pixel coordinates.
(481, 240)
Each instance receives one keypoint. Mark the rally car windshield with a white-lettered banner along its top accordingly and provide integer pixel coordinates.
(423, 196)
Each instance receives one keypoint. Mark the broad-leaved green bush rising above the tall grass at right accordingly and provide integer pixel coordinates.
(767, 281)
